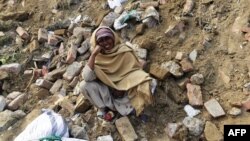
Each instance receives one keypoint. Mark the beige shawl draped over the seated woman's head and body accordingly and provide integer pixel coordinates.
(120, 69)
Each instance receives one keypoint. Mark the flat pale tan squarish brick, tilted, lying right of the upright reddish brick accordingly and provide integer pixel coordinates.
(214, 108)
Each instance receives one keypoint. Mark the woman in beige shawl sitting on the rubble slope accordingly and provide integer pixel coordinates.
(113, 76)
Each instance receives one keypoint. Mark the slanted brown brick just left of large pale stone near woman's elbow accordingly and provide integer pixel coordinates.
(55, 74)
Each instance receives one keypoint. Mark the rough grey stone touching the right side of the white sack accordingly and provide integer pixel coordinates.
(79, 132)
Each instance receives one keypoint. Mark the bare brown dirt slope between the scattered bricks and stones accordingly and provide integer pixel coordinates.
(213, 29)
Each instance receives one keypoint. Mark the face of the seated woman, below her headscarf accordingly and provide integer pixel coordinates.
(106, 43)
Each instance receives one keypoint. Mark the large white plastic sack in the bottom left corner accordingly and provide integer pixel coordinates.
(47, 124)
